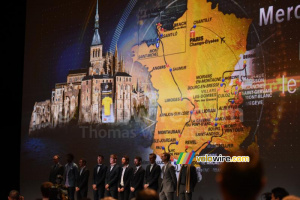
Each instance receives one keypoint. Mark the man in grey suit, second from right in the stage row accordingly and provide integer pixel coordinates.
(169, 181)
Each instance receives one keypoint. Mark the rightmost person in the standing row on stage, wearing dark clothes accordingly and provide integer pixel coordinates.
(187, 180)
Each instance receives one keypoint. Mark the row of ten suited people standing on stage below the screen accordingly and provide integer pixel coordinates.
(123, 182)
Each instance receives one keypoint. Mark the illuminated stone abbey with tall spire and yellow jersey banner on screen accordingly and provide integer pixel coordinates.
(101, 93)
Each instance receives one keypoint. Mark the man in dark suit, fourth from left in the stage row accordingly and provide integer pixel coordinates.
(99, 178)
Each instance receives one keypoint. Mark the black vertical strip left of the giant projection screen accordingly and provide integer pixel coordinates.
(13, 37)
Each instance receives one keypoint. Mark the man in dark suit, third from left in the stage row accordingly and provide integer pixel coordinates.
(83, 178)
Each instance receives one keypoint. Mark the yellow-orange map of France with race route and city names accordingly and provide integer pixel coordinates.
(194, 108)
